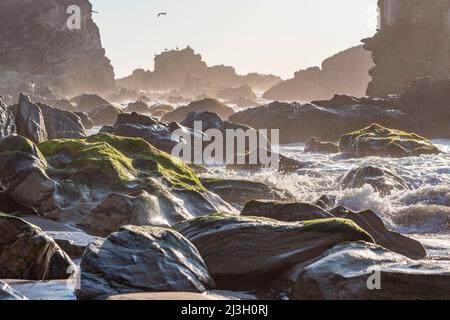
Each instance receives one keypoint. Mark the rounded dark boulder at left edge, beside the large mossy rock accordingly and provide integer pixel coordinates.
(23, 174)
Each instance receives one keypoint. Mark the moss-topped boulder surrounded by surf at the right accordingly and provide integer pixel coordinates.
(380, 141)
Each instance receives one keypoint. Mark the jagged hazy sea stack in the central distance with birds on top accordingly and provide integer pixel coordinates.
(175, 69)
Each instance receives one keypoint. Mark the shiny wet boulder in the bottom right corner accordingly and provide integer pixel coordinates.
(363, 271)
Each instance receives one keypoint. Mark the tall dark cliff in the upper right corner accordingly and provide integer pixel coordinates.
(413, 41)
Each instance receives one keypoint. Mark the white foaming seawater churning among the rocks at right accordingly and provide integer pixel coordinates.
(424, 210)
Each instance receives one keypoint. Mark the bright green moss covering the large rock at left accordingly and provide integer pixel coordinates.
(113, 159)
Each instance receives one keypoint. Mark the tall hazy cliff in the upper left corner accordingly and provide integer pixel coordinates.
(36, 47)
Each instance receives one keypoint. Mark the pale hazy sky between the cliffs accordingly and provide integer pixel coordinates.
(266, 36)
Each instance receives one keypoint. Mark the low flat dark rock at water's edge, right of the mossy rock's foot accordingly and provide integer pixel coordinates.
(239, 192)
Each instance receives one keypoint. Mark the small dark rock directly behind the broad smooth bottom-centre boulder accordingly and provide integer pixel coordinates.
(283, 211)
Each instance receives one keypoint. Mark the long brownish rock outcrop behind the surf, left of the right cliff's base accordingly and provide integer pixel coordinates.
(298, 122)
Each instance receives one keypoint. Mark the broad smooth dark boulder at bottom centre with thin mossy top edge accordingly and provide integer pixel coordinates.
(241, 252)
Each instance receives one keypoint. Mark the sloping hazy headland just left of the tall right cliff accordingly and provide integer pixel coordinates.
(344, 73)
